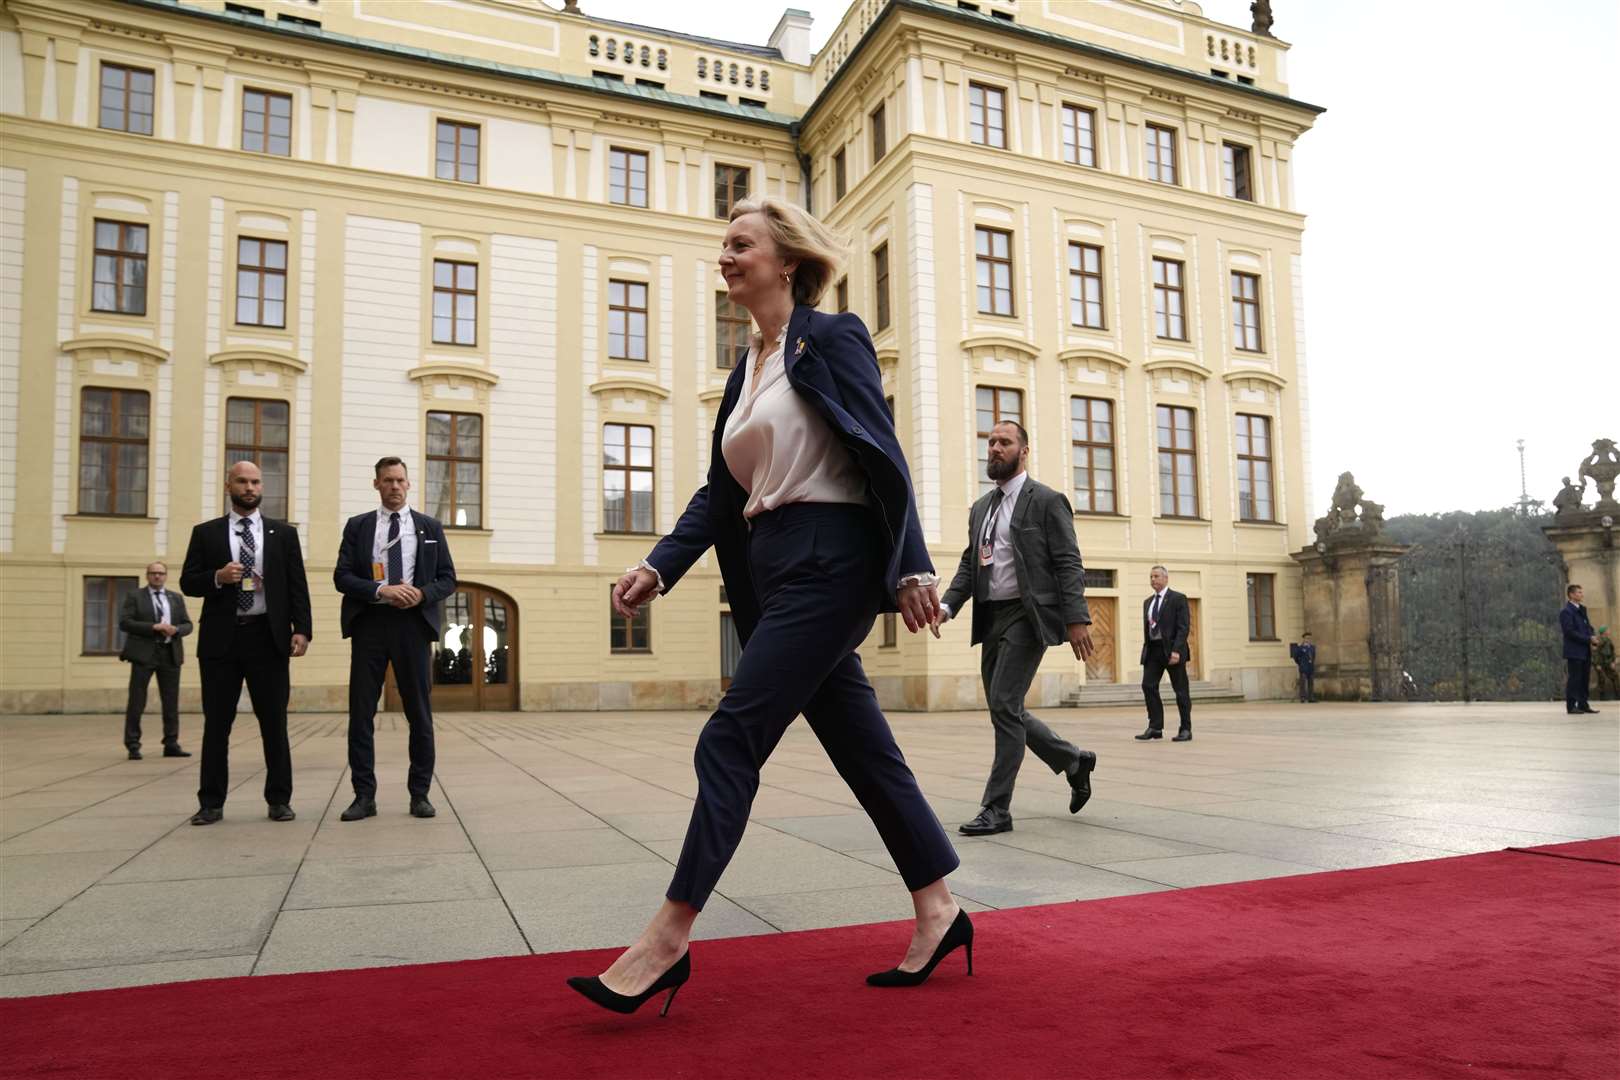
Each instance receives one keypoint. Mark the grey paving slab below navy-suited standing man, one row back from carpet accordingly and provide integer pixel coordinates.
(390, 880)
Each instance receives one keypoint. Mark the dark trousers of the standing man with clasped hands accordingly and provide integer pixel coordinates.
(390, 636)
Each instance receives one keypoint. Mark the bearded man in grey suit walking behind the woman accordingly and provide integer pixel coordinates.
(1023, 572)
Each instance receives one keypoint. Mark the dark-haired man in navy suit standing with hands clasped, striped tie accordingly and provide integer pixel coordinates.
(394, 572)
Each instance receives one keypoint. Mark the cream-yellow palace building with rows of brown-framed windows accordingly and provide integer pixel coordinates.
(482, 236)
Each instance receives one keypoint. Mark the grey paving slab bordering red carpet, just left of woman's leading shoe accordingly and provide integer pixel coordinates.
(323, 940)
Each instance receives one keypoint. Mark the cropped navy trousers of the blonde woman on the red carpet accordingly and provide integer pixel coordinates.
(817, 572)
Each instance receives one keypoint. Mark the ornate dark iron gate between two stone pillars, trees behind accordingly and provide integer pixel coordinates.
(1478, 616)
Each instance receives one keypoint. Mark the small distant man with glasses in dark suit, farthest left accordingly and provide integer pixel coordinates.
(153, 623)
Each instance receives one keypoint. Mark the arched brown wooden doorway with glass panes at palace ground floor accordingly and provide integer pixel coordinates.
(475, 658)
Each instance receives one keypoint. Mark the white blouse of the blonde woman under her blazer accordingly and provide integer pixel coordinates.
(780, 449)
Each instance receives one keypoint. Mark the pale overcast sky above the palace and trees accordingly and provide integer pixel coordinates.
(1460, 252)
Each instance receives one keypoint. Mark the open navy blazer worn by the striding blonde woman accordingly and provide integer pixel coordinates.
(833, 367)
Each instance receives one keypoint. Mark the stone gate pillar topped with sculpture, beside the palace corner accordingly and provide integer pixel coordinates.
(1354, 600)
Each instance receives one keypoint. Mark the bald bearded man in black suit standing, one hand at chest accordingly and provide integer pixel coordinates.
(249, 571)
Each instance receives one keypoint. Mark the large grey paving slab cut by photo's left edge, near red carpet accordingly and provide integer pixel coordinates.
(150, 922)
